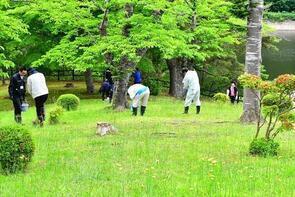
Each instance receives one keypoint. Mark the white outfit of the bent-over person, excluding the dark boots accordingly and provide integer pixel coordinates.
(139, 93)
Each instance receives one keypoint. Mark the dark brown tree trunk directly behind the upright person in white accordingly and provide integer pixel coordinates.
(175, 70)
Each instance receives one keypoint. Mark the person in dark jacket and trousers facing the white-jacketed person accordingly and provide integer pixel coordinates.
(17, 92)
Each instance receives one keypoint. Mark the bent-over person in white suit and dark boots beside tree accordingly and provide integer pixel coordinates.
(139, 95)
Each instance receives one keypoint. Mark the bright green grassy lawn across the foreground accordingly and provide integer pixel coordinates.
(164, 153)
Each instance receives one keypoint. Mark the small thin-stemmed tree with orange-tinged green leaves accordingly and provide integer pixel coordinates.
(276, 101)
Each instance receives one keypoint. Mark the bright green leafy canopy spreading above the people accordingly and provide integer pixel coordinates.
(66, 33)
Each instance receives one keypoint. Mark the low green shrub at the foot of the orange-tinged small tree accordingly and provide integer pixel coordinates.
(264, 147)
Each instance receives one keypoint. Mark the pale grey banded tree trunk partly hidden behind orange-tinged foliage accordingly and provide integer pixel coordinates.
(253, 59)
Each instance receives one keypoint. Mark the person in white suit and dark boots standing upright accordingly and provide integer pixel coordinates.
(192, 87)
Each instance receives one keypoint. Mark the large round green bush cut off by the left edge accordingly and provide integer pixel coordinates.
(16, 148)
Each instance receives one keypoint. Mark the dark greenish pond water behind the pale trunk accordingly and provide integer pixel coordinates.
(283, 60)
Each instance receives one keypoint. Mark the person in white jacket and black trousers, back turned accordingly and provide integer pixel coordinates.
(36, 86)
